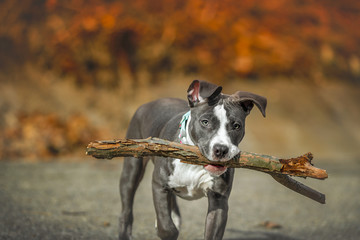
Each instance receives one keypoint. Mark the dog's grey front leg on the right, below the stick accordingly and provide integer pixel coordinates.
(217, 216)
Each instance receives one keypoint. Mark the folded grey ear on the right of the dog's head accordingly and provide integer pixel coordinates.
(247, 101)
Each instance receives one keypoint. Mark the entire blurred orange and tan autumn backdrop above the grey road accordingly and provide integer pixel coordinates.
(73, 71)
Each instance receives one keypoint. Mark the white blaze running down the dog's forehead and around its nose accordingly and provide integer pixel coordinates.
(222, 137)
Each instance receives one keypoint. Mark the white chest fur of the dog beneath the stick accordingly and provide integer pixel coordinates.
(190, 181)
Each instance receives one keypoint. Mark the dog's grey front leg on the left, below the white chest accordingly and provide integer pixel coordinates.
(166, 228)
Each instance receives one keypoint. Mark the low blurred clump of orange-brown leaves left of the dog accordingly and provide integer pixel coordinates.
(39, 135)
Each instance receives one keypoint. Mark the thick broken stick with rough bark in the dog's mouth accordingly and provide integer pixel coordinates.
(277, 168)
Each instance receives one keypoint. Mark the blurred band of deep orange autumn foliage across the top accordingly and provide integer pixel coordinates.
(104, 42)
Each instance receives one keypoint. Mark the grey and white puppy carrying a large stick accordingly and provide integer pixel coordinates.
(210, 120)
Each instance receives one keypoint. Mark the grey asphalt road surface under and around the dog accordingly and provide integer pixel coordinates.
(80, 200)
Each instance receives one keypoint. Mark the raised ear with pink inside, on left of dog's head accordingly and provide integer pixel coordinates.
(203, 92)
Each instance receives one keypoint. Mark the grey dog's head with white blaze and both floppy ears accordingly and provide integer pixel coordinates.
(218, 120)
